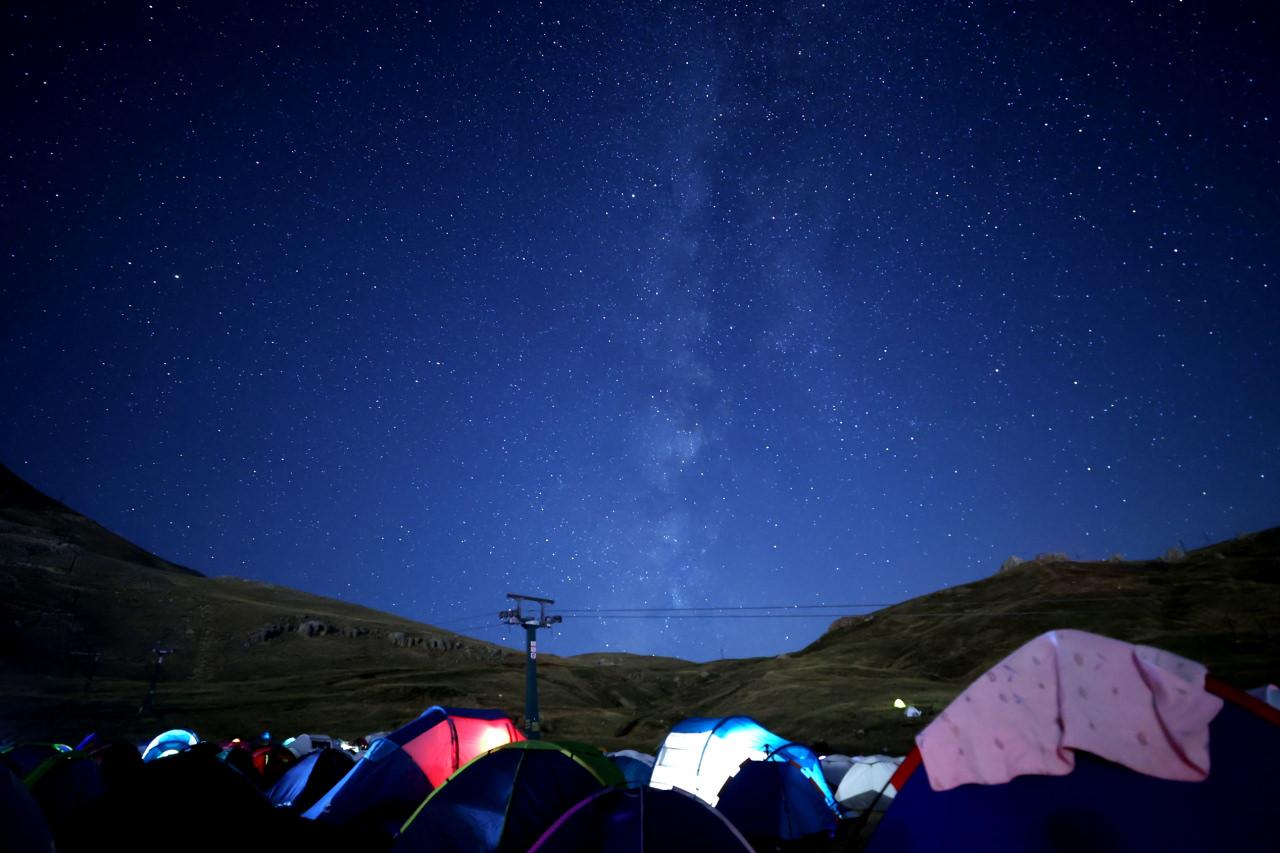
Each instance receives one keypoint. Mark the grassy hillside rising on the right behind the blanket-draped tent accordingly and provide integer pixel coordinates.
(1217, 606)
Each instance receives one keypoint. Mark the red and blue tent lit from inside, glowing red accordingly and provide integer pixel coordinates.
(400, 770)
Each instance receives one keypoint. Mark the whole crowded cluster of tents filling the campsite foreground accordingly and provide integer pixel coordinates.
(1020, 761)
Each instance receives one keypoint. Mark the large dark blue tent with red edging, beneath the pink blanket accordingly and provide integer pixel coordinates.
(1103, 806)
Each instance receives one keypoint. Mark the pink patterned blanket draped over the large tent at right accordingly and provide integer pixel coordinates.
(1064, 691)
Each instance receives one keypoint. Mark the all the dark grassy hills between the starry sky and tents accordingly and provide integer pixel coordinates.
(81, 612)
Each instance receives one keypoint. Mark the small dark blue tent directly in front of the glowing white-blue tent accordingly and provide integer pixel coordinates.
(775, 801)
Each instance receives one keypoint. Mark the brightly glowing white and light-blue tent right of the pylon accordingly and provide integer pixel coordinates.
(701, 755)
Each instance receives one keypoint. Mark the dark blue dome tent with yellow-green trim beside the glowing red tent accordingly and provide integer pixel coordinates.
(506, 800)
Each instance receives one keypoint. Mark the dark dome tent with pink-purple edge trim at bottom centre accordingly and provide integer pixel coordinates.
(642, 820)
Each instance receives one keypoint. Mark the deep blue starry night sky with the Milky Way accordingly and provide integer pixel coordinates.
(630, 305)
